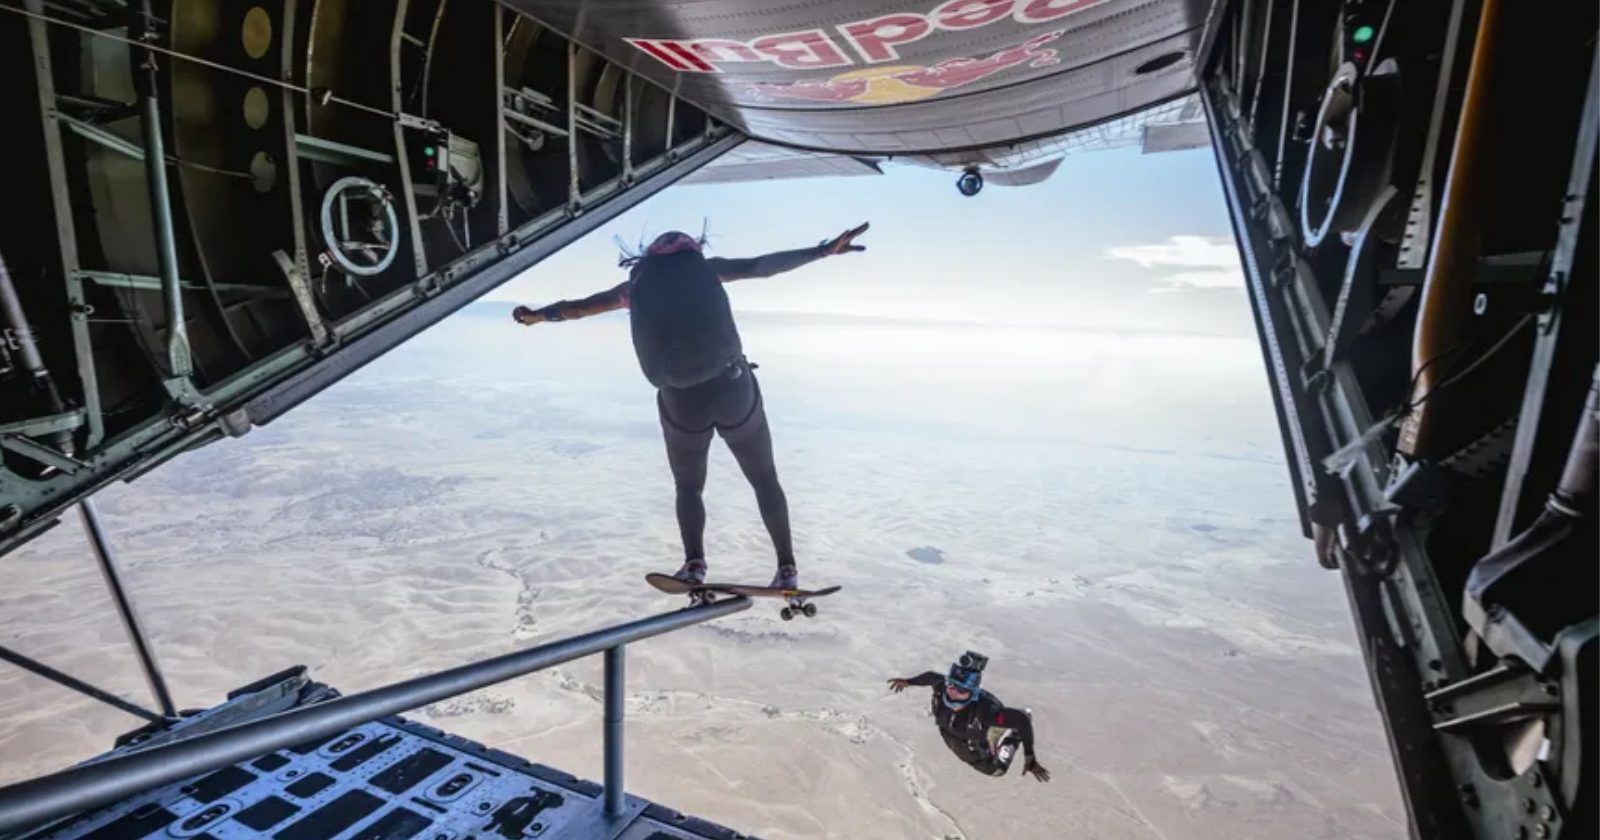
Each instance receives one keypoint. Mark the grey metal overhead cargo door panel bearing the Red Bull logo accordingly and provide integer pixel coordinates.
(863, 78)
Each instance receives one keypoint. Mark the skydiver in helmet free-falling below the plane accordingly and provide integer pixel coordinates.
(978, 729)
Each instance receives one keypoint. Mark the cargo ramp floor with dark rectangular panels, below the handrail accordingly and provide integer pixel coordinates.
(390, 780)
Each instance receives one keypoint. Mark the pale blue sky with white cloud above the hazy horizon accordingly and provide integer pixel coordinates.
(1114, 241)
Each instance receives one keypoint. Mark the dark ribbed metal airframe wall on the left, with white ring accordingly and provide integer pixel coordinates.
(335, 343)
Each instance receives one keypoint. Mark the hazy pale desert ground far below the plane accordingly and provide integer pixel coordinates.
(1105, 514)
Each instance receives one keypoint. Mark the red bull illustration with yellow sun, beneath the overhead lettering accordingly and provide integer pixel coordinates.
(908, 84)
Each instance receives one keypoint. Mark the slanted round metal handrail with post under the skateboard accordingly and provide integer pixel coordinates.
(103, 783)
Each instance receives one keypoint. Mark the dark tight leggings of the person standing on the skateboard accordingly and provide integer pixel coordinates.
(729, 406)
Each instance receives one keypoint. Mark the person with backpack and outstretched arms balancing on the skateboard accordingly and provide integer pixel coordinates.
(690, 350)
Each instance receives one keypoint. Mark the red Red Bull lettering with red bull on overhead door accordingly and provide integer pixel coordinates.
(874, 41)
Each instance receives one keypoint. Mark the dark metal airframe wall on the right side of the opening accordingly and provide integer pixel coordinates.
(1481, 716)
